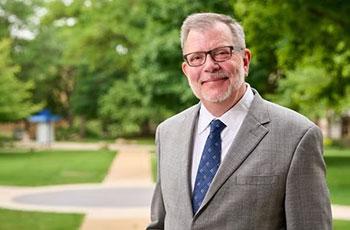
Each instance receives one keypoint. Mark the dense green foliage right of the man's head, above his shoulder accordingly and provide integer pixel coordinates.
(300, 52)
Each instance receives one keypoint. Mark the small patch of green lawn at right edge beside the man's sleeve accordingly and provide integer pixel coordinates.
(338, 174)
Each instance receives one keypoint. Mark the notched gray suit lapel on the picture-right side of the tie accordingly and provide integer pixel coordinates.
(250, 134)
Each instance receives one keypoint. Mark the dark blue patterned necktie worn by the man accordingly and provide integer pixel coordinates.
(208, 165)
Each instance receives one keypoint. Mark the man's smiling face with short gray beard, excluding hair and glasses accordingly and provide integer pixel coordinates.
(216, 82)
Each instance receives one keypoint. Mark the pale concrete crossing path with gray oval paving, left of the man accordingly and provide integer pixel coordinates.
(94, 199)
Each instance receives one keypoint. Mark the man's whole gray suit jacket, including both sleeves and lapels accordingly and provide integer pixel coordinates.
(272, 178)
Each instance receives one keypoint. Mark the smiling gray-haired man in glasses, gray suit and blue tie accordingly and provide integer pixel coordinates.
(235, 161)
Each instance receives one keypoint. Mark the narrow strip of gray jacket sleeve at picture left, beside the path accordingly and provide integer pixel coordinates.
(157, 206)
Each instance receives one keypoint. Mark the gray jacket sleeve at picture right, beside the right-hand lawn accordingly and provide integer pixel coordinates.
(307, 204)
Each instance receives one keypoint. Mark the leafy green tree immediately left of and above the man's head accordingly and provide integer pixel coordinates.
(155, 88)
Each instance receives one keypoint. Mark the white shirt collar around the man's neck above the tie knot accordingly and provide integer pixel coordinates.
(205, 117)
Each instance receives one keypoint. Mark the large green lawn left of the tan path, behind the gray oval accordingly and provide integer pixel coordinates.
(53, 167)
